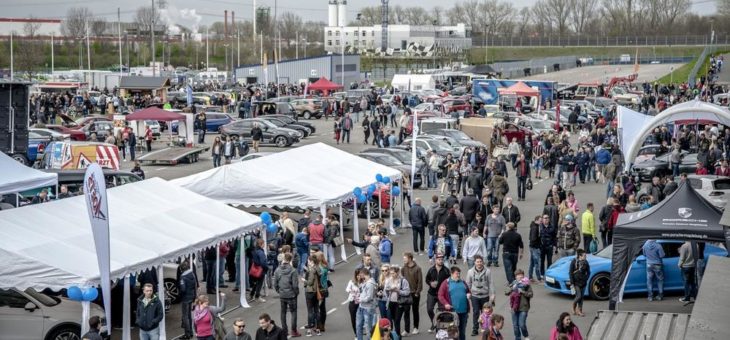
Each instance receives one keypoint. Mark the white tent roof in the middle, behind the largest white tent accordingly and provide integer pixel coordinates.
(309, 176)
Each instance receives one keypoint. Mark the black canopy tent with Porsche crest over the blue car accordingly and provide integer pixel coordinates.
(684, 215)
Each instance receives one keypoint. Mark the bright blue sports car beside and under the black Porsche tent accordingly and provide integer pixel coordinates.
(557, 278)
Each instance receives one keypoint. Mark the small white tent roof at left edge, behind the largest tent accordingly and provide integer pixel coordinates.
(17, 177)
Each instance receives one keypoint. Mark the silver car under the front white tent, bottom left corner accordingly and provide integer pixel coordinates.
(29, 314)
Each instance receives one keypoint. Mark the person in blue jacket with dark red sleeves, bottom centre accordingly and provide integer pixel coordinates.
(455, 295)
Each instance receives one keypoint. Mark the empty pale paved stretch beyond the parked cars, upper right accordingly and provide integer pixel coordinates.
(603, 74)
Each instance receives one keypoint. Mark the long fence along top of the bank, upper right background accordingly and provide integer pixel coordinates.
(478, 41)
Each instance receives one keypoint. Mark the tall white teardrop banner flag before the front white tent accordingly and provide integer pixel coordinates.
(96, 205)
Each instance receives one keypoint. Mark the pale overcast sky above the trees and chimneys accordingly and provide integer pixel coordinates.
(207, 11)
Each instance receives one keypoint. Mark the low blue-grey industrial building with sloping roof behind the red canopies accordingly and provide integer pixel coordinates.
(302, 70)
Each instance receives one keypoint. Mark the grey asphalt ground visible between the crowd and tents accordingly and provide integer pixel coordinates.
(545, 306)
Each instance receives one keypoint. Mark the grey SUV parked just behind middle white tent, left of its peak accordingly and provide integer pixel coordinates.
(272, 134)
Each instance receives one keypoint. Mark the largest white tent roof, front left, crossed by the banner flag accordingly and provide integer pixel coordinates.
(151, 222)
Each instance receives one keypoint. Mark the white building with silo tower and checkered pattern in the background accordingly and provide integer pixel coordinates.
(399, 37)
